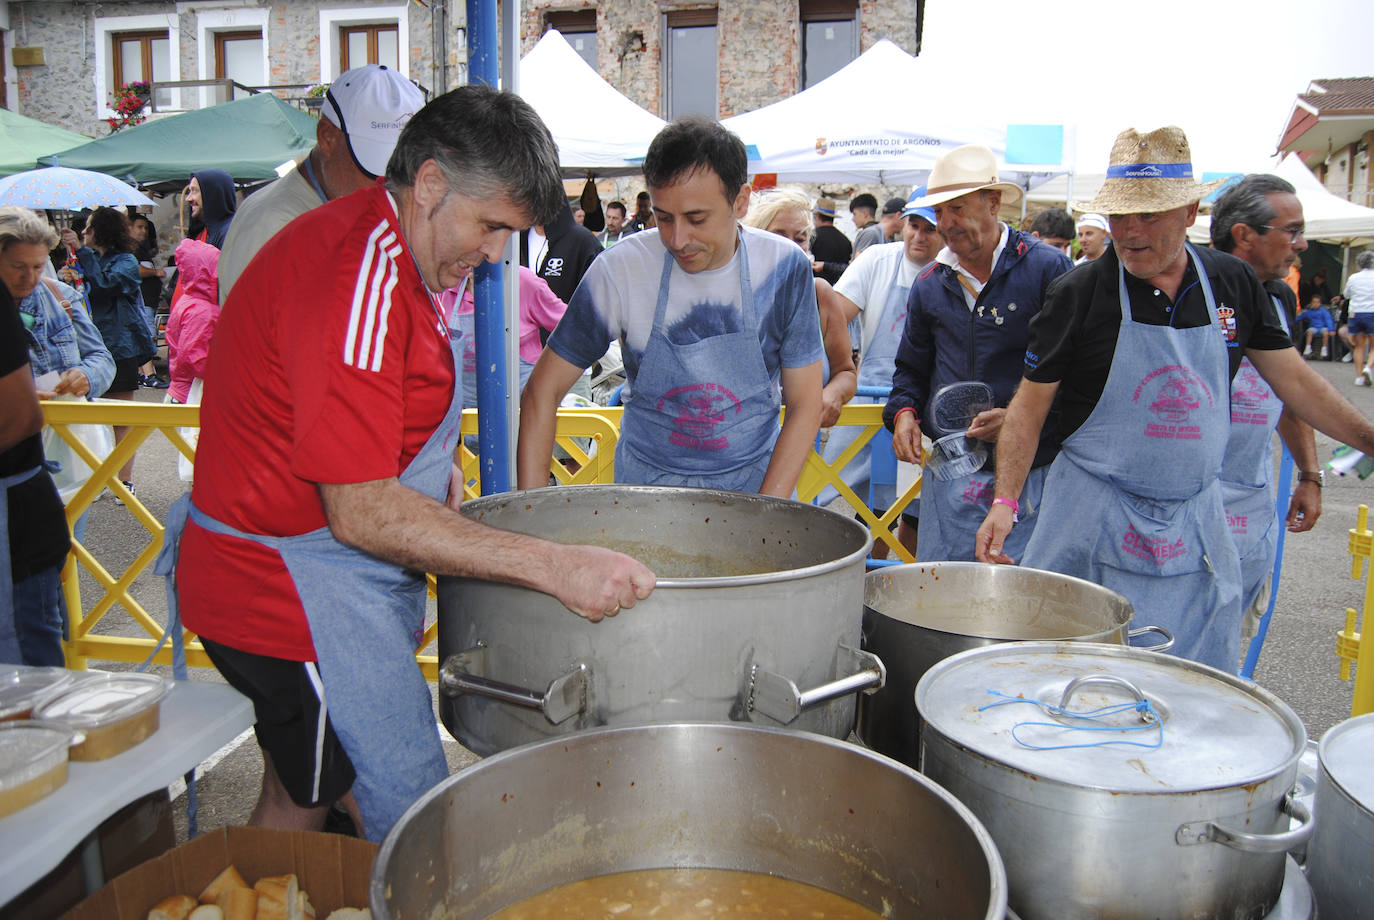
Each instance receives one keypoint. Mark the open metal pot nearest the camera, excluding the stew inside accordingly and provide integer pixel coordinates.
(711, 796)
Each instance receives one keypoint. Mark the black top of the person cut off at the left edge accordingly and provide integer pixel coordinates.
(38, 525)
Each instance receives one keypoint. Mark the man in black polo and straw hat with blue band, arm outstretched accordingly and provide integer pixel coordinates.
(1140, 347)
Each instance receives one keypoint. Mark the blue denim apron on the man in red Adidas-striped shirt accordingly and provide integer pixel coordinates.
(368, 619)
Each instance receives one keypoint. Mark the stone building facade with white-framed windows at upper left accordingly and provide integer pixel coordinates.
(299, 45)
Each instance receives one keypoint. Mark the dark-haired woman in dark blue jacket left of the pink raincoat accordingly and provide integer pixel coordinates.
(113, 288)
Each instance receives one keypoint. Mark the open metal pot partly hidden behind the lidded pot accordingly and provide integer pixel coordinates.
(921, 614)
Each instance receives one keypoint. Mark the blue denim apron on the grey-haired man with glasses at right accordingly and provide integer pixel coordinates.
(1248, 476)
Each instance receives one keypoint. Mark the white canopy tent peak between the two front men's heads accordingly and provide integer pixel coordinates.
(597, 128)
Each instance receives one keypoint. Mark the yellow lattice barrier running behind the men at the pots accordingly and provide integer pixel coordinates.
(597, 428)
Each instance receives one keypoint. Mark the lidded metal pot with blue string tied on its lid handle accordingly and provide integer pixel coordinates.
(1119, 783)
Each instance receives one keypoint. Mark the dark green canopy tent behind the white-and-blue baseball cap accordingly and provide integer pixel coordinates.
(247, 138)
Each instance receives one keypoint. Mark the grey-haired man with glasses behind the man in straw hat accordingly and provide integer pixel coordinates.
(1259, 220)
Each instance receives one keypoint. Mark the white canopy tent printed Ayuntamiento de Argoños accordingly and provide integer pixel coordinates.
(865, 124)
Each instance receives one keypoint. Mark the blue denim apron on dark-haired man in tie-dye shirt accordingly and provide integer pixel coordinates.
(706, 414)
